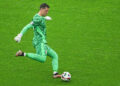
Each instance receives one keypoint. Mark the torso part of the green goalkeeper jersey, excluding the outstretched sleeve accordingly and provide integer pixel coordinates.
(39, 28)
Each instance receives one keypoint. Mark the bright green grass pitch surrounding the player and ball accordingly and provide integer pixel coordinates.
(84, 33)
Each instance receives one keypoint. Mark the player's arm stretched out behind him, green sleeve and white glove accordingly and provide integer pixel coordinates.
(23, 31)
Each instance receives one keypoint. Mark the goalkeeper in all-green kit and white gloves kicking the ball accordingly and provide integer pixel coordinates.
(39, 40)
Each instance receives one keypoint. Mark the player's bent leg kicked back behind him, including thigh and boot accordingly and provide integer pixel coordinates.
(39, 56)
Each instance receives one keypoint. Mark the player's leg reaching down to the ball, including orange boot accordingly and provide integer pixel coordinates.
(54, 56)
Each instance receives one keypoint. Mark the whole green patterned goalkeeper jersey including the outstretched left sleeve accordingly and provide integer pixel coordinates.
(39, 26)
